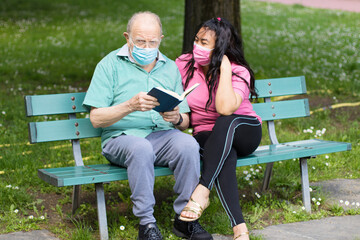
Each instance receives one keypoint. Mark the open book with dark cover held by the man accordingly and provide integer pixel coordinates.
(168, 99)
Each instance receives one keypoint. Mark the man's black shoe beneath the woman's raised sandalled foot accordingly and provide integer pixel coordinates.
(190, 230)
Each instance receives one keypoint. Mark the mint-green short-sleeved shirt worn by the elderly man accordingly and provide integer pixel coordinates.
(117, 79)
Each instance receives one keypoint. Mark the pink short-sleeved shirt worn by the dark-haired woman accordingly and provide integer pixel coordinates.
(205, 121)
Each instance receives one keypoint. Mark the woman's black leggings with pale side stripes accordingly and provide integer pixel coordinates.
(232, 136)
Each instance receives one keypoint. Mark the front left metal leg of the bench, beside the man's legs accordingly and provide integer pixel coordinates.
(101, 207)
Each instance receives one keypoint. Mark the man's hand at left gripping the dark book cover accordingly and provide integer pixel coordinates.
(142, 102)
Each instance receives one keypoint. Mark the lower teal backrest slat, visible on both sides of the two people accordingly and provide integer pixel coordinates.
(66, 129)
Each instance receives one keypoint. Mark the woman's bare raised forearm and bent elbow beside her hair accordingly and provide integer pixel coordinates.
(227, 101)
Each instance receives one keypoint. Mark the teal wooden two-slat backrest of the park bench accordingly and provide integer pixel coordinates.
(78, 128)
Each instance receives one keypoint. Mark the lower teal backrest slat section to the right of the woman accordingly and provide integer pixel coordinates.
(282, 109)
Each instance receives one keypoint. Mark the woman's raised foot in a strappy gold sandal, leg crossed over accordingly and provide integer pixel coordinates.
(198, 202)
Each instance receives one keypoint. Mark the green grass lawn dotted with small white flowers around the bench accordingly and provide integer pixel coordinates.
(53, 47)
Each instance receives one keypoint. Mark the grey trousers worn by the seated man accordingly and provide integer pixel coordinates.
(171, 148)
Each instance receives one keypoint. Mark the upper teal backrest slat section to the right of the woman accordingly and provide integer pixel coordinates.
(280, 86)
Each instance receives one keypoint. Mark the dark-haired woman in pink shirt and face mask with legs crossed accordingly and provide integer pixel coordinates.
(222, 116)
